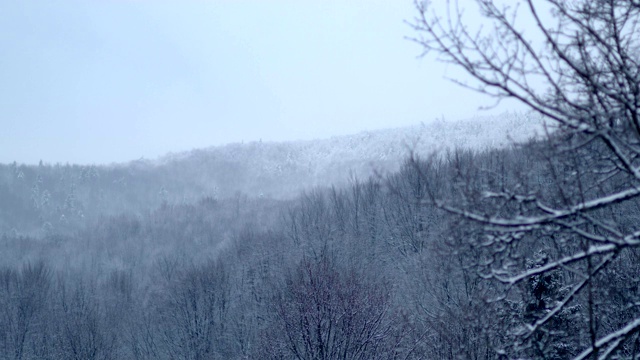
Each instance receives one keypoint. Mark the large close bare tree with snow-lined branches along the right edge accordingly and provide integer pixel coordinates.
(576, 63)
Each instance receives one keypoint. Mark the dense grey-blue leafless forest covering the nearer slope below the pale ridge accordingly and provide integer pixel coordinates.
(372, 270)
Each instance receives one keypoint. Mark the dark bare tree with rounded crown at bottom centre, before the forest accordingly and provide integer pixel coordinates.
(325, 313)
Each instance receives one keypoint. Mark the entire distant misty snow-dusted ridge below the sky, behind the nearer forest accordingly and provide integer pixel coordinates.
(45, 197)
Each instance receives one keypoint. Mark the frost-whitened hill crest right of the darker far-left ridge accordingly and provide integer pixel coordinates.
(283, 169)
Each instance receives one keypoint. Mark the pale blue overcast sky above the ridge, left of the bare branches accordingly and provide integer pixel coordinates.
(105, 81)
